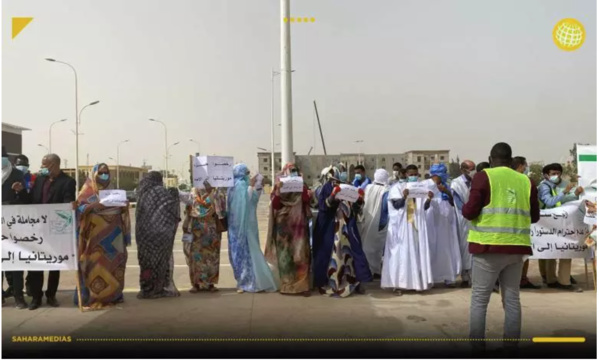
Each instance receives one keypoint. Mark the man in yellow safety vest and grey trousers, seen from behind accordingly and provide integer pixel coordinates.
(502, 205)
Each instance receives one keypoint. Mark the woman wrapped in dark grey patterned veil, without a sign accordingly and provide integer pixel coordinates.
(157, 219)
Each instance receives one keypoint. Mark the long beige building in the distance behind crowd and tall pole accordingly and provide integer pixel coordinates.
(312, 165)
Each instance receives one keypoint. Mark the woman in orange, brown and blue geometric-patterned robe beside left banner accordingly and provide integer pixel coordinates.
(103, 234)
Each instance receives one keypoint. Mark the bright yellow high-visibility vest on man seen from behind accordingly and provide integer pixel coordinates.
(506, 220)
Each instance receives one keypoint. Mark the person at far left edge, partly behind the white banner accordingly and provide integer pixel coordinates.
(12, 194)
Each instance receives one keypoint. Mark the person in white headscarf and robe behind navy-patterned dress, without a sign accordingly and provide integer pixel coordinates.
(373, 226)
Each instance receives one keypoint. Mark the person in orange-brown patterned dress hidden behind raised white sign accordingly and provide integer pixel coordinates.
(202, 253)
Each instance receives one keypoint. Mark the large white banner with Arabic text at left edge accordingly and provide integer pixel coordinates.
(38, 237)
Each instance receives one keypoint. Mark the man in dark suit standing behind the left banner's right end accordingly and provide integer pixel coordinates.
(52, 186)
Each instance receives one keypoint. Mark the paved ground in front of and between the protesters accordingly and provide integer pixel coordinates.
(439, 313)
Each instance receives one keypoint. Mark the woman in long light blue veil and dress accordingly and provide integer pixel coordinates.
(249, 265)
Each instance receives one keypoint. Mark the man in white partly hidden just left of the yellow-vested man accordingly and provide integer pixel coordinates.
(460, 188)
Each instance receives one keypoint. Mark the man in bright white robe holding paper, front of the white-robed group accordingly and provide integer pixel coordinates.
(407, 260)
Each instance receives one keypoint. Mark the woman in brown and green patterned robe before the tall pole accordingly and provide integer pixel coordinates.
(288, 238)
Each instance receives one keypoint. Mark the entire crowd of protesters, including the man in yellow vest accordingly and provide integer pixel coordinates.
(472, 231)
